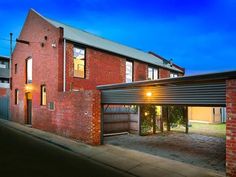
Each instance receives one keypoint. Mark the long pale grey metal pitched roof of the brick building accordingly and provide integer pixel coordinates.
(83, 37)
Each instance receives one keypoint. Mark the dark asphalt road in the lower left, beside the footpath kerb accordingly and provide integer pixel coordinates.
(22, 155)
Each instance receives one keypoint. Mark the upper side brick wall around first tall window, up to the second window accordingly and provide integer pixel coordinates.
(101, 68)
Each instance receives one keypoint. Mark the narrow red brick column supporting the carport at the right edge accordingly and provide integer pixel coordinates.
(231, 128)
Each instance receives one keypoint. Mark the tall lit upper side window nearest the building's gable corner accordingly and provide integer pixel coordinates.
(79, 62)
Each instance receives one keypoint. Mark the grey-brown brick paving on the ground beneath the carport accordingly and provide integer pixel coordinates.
(199, 150)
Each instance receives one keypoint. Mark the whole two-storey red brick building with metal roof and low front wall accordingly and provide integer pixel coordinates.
(56, 70)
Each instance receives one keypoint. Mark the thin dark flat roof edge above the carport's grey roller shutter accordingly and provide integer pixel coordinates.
(209, 77)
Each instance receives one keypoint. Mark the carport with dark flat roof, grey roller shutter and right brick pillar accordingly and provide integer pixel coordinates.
(214, 89)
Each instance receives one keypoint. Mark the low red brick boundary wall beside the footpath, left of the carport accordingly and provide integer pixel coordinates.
(76, 115)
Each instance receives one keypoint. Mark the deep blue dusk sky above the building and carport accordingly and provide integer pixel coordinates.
(199, 35)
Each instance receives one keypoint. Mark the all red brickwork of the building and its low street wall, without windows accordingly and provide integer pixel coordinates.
(77, 111)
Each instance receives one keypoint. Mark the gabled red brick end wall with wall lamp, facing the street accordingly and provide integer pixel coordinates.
(45, 58)
